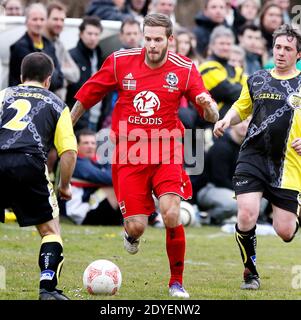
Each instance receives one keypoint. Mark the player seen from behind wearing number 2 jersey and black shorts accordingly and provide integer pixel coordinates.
(31, 120)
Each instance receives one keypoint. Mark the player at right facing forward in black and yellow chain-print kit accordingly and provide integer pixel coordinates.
(269, 162)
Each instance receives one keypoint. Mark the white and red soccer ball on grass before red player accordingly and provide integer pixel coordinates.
(102, 277)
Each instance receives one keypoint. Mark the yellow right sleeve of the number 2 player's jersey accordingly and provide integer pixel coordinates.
(64, 138)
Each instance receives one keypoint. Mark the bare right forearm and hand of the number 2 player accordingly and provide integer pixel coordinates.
(67, 165)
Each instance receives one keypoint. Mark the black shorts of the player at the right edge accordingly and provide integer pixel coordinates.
(285, 199)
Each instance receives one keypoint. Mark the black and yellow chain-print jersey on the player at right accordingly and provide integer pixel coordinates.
(275, 105)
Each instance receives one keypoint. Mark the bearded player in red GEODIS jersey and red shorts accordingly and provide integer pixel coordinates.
(150, 82)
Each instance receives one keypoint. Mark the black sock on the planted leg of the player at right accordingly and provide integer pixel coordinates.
(247, 245)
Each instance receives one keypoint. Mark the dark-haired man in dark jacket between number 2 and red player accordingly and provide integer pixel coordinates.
(88, 57)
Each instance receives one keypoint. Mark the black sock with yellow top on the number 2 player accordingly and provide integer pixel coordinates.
(50, 261)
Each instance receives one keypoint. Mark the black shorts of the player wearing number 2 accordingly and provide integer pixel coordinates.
(26, 189)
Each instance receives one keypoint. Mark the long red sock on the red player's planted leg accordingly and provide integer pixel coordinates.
(175, 247)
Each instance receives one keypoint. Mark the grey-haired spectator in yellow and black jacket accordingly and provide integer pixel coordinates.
(223, 81)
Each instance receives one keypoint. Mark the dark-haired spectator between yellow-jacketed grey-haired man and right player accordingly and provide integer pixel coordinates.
(249, 37)
